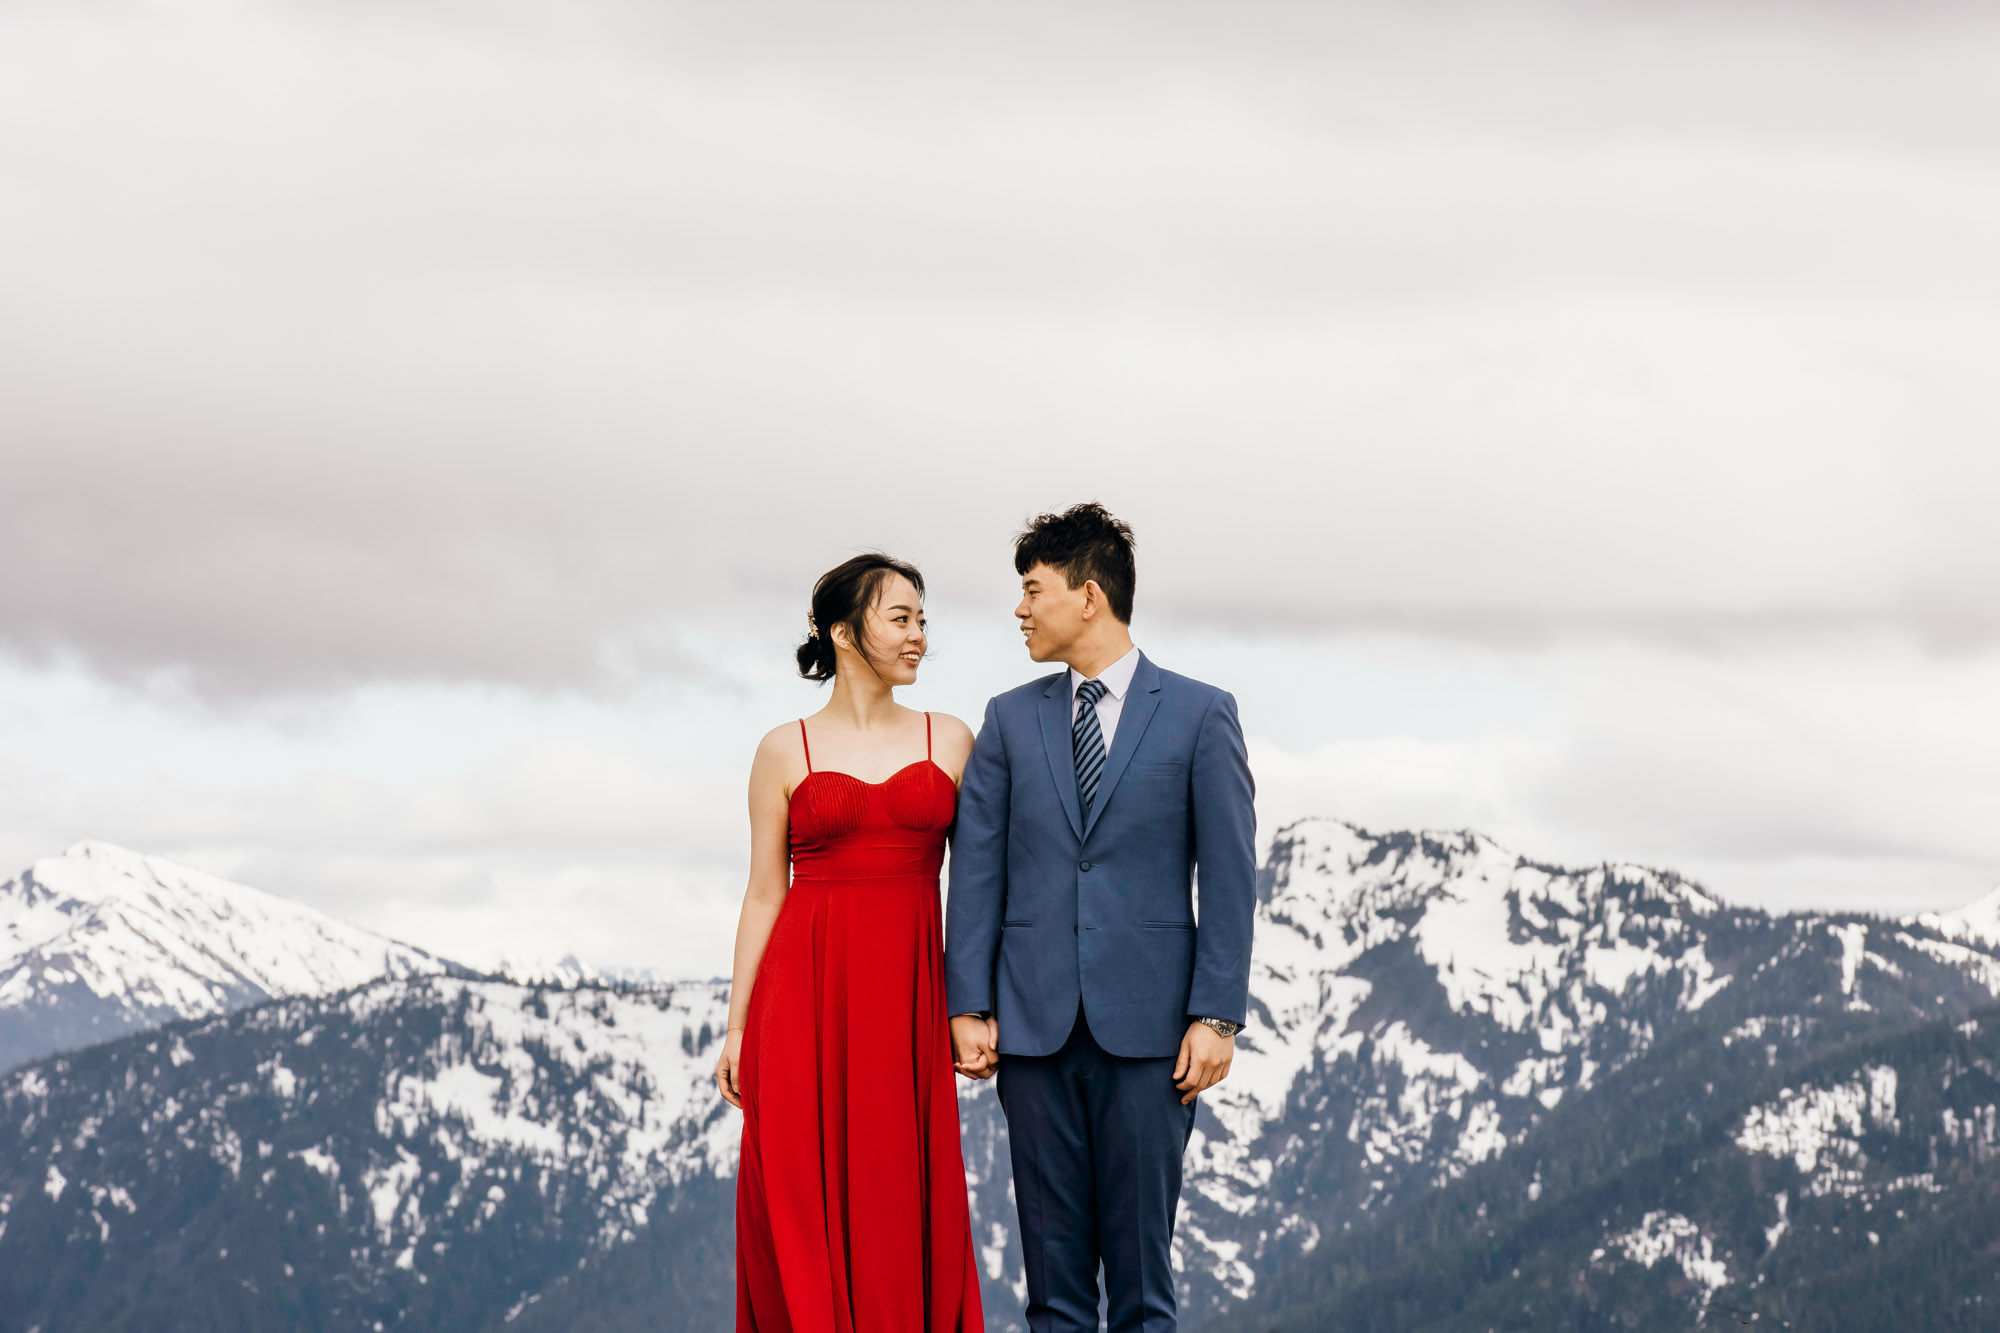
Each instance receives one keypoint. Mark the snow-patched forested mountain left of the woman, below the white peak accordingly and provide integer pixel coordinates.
(381, 1152)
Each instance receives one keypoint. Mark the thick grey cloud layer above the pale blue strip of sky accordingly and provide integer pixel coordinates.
(341, 345)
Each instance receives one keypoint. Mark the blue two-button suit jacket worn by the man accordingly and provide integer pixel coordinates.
(1049, 908)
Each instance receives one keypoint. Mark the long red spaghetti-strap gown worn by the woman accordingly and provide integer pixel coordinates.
(851, 1202)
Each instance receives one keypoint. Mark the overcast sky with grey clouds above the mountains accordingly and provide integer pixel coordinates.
(421, 423)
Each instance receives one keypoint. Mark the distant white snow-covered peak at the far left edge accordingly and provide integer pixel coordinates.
(103, 942)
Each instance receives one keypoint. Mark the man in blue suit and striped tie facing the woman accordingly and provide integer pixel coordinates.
(1075, 964)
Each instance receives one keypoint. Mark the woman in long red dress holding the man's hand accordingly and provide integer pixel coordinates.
(851, 1198)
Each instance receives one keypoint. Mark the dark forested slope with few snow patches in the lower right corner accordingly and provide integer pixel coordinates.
(1853, 1192)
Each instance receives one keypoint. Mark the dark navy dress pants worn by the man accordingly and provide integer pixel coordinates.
(1097, 1144)
